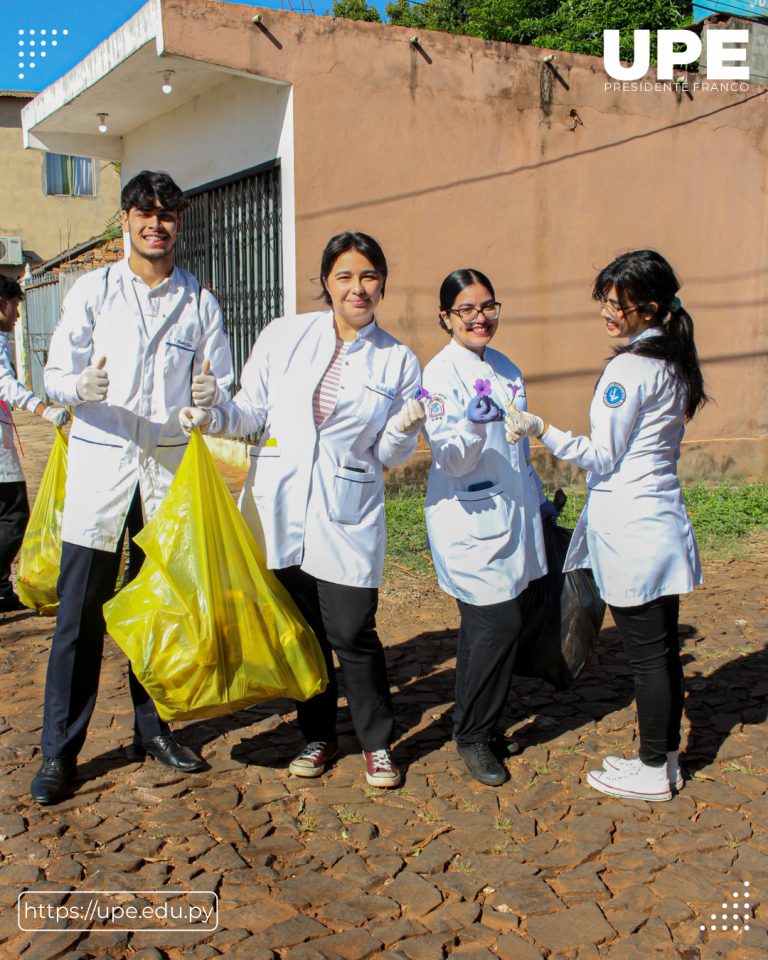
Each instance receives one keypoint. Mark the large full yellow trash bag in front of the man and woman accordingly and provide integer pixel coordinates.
(207, 627)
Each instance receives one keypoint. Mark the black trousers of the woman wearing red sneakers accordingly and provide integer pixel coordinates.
(344, 621)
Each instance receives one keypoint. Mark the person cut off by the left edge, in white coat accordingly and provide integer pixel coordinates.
(14, 506)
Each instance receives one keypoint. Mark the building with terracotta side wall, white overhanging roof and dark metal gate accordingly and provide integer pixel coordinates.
(454, 152)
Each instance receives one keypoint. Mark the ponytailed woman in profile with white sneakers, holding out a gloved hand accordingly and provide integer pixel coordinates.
(635, 531)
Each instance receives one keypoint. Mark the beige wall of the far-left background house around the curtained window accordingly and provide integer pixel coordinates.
(46, 225)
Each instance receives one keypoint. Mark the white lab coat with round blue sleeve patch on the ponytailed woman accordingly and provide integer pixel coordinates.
(634, 531)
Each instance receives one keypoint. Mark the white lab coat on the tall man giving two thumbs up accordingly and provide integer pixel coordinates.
(134, 436)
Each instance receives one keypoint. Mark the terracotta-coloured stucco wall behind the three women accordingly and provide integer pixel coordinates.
(447, 154)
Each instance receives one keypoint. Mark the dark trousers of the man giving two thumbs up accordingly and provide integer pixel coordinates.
(86, 582)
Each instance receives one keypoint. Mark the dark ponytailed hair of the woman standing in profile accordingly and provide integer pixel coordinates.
(645, 281)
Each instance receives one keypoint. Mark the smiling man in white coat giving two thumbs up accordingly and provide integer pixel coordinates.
(136, 342)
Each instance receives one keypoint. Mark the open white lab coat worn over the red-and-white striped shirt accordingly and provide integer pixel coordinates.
(318, 492)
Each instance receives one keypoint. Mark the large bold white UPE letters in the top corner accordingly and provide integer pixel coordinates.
(668, 58)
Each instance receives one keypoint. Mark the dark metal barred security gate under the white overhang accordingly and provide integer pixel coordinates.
(231, 240)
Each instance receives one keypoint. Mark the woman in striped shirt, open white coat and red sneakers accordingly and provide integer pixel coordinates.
(334, 395)
